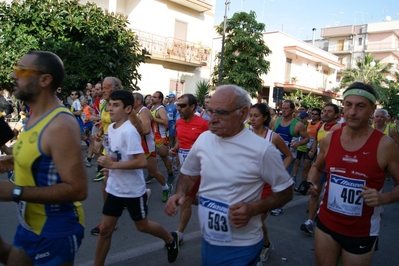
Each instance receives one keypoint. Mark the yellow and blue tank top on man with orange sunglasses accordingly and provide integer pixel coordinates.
(33, 168)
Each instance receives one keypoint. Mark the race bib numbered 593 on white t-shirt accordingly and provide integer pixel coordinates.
(214, 222)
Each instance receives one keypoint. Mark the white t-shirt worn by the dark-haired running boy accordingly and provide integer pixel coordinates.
(124, 142)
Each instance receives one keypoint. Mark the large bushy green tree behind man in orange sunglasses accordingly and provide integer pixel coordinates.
(91, 44)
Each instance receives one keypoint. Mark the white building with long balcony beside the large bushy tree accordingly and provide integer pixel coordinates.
(178, 35)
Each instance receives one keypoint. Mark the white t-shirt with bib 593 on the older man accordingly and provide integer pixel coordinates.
(233, 170)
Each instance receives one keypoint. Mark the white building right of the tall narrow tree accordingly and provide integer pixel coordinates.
(296, 65)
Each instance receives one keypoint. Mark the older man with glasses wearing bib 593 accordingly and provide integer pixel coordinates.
(234, 164)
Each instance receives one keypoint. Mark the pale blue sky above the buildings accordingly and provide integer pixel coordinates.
(298, 18)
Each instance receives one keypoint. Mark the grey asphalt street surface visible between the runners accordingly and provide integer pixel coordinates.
(130, 247)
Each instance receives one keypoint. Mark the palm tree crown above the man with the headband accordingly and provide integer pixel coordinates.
(369, 71)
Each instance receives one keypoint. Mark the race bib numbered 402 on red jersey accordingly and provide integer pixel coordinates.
(344, 195)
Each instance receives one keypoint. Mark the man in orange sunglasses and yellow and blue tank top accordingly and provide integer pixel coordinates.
(50, 176)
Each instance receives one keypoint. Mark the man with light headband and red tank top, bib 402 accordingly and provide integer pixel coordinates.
(356, 158)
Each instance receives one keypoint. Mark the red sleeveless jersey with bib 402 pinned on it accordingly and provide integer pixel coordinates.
(342, 209)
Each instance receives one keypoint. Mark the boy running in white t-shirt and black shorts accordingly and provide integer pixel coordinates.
(125, 180)
